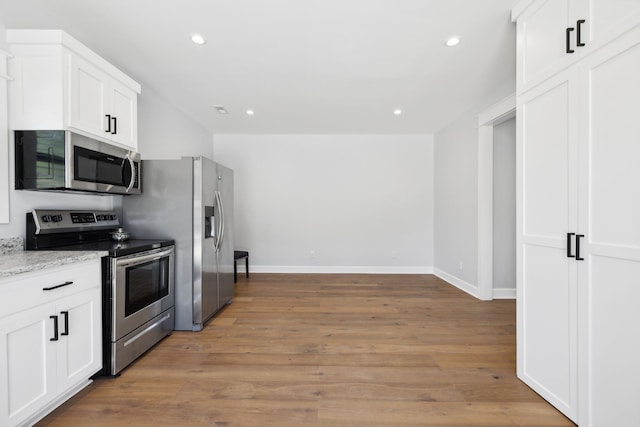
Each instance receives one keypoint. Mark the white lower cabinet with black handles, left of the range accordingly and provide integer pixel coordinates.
(48, 351)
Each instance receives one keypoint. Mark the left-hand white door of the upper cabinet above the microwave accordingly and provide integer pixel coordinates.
(88, 97)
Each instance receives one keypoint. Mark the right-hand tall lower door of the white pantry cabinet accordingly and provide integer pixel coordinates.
(609, 278)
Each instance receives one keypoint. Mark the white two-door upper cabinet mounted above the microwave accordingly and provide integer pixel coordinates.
(61, 84)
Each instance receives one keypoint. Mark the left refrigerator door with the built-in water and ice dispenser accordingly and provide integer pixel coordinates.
(206, 216)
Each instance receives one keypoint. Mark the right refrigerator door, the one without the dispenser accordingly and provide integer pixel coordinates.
(226, 246)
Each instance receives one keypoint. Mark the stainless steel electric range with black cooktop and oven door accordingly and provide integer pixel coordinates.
(138, 278)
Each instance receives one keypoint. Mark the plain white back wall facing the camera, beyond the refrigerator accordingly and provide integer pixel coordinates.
(332, 203)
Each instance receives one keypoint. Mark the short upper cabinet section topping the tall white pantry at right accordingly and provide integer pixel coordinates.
(553, 34)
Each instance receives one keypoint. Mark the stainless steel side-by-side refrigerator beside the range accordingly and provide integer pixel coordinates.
(190, 201)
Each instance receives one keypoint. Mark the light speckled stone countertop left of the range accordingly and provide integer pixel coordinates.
(27, 261)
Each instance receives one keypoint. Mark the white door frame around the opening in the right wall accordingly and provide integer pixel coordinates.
(487, 120)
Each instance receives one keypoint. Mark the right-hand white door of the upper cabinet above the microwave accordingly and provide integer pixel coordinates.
(125, 110)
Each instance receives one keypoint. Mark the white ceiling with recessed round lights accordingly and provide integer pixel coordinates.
(302, 66)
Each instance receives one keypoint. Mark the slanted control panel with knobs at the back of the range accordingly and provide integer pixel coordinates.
(57, 221)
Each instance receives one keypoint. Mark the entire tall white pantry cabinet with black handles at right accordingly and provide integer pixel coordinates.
(578, 121)
